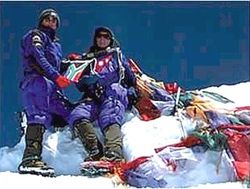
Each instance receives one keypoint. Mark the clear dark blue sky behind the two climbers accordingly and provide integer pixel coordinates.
(197, 44)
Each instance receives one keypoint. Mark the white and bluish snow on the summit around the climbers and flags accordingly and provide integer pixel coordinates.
(65, 153)
